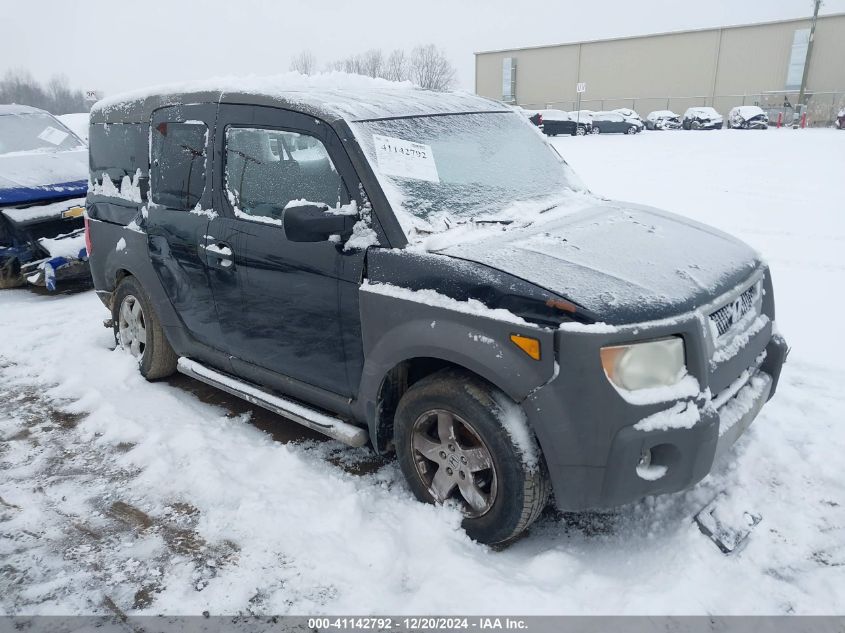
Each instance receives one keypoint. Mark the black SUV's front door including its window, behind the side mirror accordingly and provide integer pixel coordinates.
(286, 314)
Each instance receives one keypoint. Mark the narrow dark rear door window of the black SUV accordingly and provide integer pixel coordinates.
(179, 164)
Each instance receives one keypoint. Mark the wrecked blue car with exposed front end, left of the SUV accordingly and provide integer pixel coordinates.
(43, 181)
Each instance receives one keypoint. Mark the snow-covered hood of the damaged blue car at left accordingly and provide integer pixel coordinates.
(33, 176)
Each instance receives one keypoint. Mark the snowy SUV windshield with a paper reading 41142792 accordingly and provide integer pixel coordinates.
(439, 170)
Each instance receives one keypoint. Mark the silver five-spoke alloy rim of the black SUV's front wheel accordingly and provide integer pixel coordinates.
(453, 462)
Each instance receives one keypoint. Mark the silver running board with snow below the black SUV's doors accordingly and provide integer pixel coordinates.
(306, 416)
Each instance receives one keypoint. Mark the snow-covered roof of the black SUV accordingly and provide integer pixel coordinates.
(331, 96)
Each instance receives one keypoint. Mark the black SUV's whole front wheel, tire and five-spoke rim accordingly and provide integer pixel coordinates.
(508, 493)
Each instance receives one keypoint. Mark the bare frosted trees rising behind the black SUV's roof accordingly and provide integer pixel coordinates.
(427, 66)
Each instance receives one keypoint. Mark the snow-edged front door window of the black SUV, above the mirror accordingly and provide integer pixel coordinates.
(267, 169)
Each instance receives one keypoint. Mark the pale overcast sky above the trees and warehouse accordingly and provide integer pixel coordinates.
(114, 45)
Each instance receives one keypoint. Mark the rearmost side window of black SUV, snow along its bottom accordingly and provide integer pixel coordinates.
(118, 150)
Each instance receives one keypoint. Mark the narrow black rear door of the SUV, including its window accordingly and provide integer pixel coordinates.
(176, 222)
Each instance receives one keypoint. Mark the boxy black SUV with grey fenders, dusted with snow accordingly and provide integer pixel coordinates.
(423, 272)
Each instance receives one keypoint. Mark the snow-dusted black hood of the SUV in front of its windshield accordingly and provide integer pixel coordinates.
(625, 263)
